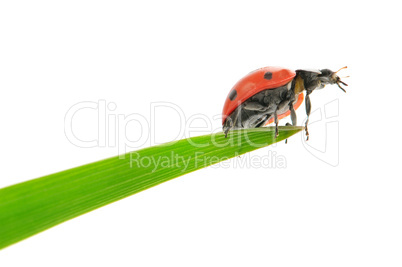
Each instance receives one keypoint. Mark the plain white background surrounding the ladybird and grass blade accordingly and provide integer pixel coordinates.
(56, 54)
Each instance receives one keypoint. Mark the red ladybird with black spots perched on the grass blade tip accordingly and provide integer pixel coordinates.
(269, 94)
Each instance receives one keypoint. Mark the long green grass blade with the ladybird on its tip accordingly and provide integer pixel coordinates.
(36, 205)
